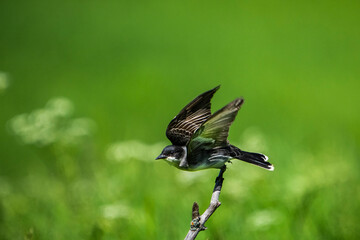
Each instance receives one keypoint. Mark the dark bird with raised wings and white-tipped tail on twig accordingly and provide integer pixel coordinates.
(199, 138)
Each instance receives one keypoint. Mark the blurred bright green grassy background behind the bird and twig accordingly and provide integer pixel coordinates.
(129, 67)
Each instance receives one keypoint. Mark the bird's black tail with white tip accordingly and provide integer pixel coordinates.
(257, 159)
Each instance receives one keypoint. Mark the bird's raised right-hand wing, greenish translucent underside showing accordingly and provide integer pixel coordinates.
(214, 132)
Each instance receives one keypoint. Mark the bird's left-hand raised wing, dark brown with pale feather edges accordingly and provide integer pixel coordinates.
(190, 118)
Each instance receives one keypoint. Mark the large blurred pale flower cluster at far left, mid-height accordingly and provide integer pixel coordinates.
(52, 124)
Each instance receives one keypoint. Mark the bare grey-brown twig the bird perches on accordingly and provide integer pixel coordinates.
(197, 223)
